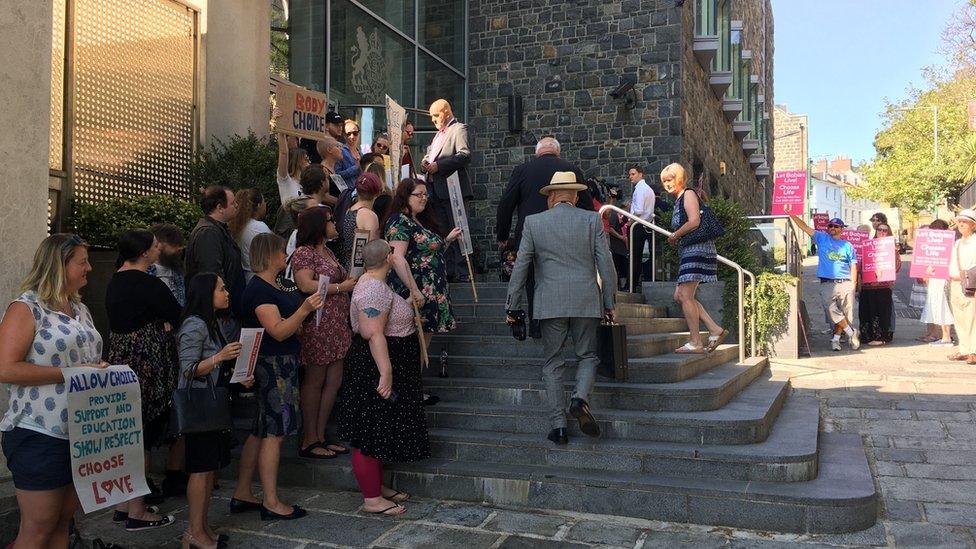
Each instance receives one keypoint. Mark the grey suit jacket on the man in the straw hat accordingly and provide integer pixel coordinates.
(568, 247)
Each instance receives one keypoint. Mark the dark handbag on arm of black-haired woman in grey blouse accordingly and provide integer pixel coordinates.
(200, 409)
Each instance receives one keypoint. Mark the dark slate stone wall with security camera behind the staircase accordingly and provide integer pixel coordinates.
(565, 57)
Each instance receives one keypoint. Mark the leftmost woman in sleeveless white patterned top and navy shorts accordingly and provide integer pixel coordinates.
(47, 328)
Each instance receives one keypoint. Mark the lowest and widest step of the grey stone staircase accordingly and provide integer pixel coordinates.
(841, 498)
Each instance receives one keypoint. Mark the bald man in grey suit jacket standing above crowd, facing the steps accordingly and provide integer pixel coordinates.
(448, 154)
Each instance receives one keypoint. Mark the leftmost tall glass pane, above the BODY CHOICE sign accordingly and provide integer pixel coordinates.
(306, 43)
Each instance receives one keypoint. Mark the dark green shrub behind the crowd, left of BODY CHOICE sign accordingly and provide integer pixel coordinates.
(239, 163)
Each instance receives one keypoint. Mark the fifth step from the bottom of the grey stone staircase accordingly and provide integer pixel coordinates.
(665, 368)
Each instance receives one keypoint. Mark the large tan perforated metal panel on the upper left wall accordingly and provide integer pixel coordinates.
(134, 63)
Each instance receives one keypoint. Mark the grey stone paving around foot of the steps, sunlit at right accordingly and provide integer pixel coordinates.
(914, 410)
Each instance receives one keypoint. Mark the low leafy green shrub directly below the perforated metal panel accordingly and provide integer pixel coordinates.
(100, 223)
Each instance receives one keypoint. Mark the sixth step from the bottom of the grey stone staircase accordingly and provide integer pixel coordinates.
(638, 346)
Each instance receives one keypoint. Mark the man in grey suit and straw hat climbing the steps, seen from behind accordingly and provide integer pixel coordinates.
(568, 248)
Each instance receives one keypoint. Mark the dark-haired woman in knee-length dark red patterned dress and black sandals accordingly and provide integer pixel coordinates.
(324, 339)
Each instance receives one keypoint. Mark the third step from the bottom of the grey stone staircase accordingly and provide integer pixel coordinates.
(745, 419)
